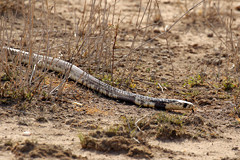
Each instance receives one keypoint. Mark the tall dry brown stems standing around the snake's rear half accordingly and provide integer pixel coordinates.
(90, 40)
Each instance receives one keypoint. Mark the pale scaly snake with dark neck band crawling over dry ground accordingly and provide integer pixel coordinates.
(82, 77)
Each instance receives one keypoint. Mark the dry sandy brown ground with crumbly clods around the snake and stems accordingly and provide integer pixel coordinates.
(83, 124)
